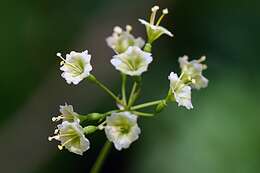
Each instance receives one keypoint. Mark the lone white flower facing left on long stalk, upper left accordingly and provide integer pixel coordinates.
(76, 66)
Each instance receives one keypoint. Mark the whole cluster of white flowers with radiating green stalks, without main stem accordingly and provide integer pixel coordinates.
(132, 58)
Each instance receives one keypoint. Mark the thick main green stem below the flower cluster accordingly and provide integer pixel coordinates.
(101, 157)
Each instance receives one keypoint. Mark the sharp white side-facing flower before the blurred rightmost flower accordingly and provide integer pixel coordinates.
(181, 92)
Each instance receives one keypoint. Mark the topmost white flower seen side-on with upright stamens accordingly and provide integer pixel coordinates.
(154, 31)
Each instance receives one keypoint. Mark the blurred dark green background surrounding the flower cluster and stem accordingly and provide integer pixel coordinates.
(220, 135)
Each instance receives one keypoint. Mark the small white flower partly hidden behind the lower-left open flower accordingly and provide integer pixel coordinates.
(67, 114)
